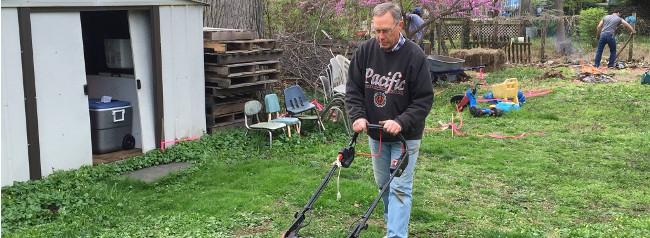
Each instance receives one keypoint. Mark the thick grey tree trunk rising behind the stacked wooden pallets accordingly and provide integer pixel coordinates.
(241, 14)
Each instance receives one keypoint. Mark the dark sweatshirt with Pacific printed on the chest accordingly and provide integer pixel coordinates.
(390, 86)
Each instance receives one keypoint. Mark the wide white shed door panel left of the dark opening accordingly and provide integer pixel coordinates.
(60, 76)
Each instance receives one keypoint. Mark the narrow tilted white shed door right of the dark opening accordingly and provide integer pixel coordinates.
(140, 31)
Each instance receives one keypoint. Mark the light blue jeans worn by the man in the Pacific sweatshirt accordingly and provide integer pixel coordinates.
(397, 202)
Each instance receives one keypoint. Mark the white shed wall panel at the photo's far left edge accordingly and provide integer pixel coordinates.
(15, 164)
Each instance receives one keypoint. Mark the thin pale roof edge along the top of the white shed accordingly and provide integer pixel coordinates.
(98, 3)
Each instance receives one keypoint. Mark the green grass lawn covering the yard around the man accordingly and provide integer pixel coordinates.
(587, 176)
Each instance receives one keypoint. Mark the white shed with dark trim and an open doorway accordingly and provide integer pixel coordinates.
(53, 61)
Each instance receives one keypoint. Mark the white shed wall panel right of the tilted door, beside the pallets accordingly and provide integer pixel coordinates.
(183, 79)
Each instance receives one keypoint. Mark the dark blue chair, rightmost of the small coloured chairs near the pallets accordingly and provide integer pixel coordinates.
(296, 104)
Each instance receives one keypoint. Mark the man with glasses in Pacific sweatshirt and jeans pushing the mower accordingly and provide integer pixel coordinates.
(390, 85)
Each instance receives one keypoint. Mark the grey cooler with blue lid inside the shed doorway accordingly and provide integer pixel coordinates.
(110, 126)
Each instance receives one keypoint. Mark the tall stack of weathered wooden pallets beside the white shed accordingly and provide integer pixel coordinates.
(237, 68)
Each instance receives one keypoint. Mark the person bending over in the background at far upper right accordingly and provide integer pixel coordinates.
(608, 26)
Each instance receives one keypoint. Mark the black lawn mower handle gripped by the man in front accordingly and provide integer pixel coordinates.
(345, 159)
